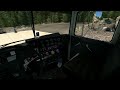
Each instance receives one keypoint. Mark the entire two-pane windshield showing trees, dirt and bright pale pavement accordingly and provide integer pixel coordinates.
(17, 25)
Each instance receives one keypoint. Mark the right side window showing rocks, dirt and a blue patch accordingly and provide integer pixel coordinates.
(97, 25)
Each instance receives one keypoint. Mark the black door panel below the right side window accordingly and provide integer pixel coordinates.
(92, 56)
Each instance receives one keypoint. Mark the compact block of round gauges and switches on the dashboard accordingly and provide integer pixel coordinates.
(50, 47)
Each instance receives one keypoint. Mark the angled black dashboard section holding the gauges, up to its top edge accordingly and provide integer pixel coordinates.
(49, 48)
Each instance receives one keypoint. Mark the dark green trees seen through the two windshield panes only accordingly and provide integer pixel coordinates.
(18, 18)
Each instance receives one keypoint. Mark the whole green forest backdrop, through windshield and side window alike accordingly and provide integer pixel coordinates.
(18, 18)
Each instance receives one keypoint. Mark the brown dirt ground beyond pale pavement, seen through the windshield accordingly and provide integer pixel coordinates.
(62, 28)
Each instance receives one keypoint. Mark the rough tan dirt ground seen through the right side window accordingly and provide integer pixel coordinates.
(94, 34)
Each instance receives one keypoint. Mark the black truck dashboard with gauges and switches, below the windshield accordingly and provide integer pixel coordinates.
(39, 55)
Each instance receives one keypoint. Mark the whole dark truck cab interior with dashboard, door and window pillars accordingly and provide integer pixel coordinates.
(62, 56)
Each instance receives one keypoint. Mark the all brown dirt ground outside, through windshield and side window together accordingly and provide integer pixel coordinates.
(63, 28)
